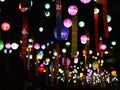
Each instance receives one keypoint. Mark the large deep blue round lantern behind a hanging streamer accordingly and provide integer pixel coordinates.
(64, 33)
